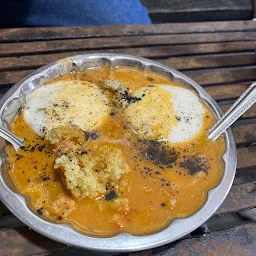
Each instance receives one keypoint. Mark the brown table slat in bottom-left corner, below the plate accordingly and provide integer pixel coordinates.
(23, 242)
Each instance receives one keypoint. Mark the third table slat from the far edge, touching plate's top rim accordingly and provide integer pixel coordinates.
(35, 61)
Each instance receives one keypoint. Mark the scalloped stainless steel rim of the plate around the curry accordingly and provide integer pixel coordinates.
(122, 242)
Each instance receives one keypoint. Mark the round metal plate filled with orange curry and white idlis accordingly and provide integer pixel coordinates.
(116, 154)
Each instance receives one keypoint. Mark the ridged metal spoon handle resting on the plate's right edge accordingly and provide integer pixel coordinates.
(245, 101)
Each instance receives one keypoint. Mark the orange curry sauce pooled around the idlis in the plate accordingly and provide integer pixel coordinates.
(157, 193)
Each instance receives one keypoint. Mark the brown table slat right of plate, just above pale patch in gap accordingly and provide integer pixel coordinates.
(241, 196)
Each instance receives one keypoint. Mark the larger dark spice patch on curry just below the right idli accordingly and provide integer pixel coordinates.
(157, 153)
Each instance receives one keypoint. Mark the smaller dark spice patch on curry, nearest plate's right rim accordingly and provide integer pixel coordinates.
(194, 164)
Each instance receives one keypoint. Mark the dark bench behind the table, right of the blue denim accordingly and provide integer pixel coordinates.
(198, 10)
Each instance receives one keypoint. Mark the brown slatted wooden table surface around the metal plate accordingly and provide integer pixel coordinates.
(220, 56)
